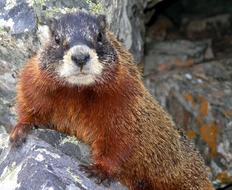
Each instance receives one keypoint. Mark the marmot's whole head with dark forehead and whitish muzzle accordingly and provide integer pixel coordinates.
(76, 49)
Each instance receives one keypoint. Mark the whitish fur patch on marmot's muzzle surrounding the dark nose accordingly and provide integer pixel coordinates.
(73, 74)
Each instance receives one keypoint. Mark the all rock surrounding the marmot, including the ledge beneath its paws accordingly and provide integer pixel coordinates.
(184, 48)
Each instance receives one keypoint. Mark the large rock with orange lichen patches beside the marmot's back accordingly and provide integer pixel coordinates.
(200, 100)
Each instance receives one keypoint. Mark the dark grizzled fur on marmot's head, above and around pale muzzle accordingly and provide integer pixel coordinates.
(73, 29)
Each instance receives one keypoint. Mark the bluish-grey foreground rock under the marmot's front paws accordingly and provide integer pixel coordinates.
(41, 164)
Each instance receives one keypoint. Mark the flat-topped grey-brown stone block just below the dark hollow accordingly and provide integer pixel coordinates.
(166, 55)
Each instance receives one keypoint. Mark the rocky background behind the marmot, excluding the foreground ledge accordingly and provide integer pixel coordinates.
(183, 47)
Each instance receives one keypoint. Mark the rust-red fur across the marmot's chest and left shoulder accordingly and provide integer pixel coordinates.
(82, 112)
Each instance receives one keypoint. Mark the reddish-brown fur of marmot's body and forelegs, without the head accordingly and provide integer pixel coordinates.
(132, 138)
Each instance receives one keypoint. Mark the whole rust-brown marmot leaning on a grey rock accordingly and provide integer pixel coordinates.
(84, 83)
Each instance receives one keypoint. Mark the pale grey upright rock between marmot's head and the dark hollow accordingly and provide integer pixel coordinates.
(127, 22)
